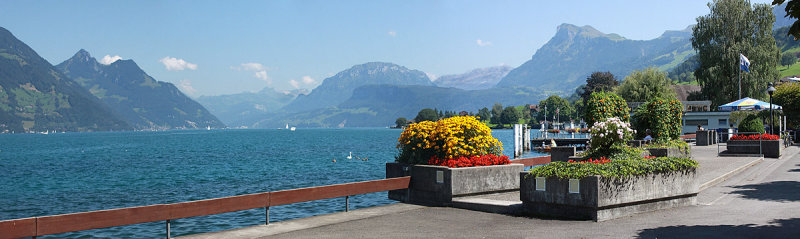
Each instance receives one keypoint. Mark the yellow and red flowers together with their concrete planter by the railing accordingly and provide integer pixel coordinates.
(462, 159)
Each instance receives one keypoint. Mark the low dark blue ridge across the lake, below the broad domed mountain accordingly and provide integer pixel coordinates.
(380, 105)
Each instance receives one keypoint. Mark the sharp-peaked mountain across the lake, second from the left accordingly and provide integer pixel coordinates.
(145, 103)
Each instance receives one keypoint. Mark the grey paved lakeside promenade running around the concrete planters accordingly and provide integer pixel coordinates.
(741, 197)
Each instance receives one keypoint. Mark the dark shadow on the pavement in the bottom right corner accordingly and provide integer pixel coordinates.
(781, 228)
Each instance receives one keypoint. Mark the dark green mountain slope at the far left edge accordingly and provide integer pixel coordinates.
(35, 96)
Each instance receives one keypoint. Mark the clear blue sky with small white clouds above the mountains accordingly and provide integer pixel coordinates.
(227, 47)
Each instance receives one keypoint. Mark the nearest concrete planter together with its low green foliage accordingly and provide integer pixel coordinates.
(603, 189)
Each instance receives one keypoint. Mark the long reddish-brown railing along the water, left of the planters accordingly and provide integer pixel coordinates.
(54, 224)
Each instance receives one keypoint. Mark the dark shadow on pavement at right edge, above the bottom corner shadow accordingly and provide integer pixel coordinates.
(771, 191)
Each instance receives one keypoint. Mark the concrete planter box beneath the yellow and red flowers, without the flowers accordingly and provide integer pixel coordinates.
(438, 185)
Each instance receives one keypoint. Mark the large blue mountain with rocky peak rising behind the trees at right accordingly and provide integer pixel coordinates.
(574, 52)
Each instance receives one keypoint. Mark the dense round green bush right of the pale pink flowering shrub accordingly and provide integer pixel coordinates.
(662, 116)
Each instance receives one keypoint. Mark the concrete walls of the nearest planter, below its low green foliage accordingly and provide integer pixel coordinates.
(599, 199)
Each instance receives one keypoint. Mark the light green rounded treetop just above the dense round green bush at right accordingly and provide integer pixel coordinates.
(641, 86)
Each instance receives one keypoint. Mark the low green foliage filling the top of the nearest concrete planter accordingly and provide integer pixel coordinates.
(615, 168)
